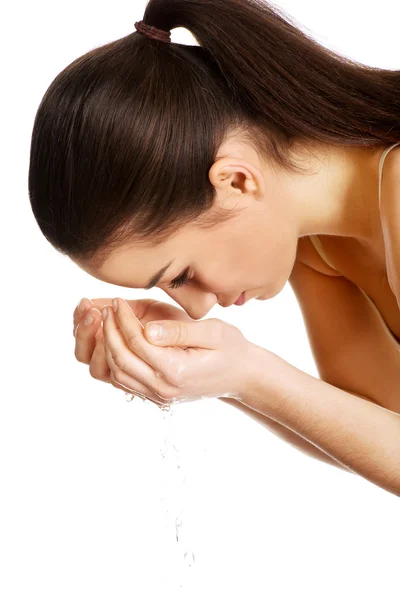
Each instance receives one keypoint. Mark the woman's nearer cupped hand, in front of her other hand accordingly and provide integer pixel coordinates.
(197, 359)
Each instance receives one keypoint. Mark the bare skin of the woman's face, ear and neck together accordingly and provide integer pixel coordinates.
(257, 250)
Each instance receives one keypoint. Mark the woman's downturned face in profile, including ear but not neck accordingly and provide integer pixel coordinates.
(253, 253)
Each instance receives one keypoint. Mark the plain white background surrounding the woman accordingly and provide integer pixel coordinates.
(83, 484)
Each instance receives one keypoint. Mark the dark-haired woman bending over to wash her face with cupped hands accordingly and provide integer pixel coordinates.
(214, 169)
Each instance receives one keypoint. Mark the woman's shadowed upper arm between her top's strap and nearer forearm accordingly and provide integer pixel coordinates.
(351, 349)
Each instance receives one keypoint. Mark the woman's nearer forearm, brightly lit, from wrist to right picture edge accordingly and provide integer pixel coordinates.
(361, 435)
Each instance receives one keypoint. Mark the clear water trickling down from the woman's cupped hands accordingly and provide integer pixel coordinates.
(172, 503)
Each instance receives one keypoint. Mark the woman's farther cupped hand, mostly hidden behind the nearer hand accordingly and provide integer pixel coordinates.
(89, 339)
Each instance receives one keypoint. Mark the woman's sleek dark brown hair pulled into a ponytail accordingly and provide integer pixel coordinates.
(125, 136)
